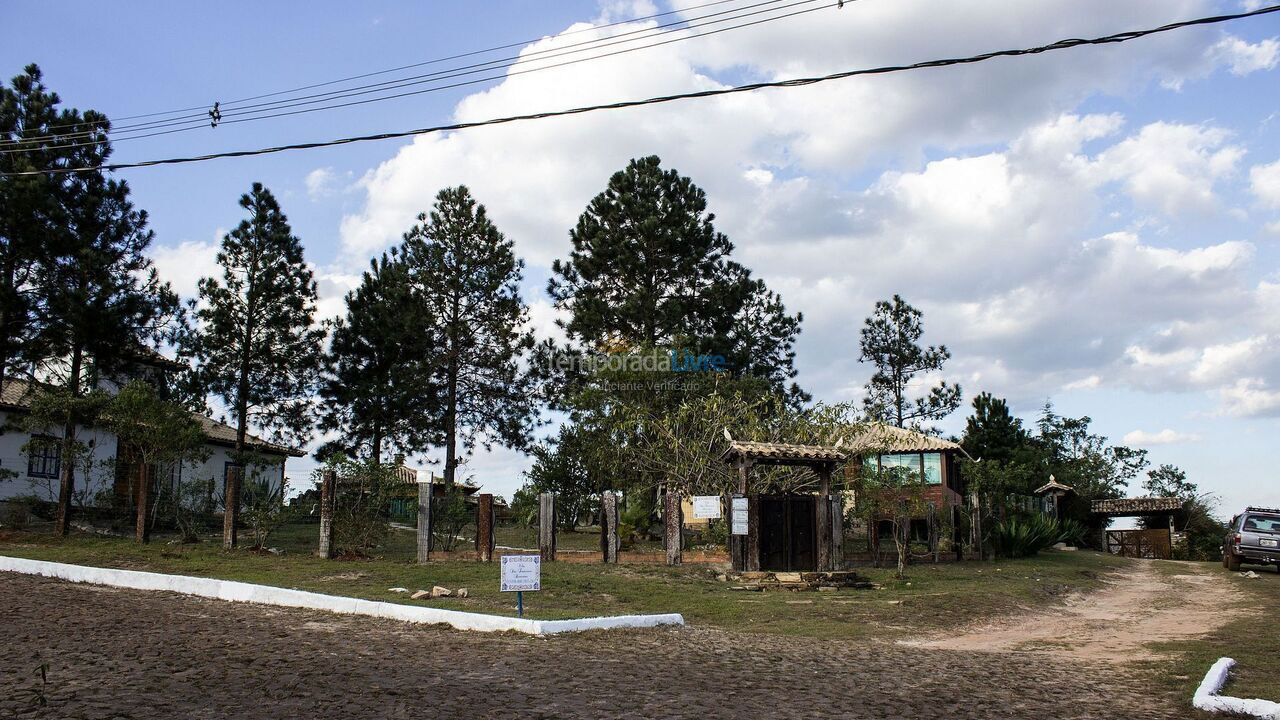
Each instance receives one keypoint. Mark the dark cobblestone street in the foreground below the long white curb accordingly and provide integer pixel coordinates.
(131, 654)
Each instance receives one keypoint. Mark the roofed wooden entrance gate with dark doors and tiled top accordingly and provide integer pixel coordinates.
(790, 532)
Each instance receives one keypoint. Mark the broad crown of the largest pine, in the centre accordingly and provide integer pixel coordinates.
(648, 270)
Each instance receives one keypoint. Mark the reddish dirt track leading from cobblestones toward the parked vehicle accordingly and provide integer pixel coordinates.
(1142, 604)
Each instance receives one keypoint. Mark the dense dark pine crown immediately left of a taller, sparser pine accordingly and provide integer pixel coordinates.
(378, 391)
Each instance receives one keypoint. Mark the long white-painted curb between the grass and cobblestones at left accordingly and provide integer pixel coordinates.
(285, 598)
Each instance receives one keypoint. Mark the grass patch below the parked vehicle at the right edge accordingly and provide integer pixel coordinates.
(1250, 637)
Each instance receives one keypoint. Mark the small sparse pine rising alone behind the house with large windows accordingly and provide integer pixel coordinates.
(890, 341)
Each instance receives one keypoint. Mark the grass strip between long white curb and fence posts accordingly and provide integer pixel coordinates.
(932, 598)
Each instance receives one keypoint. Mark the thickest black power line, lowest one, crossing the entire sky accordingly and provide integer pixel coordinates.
(796, 83)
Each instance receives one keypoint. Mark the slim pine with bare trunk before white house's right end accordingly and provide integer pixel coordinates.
(255, 344)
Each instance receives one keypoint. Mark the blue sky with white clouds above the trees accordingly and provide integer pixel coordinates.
(1099, 227)
